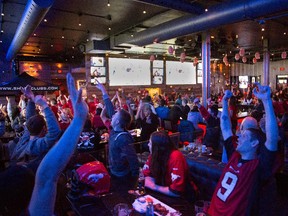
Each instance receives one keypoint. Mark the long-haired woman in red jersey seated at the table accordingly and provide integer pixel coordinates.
(166, 170)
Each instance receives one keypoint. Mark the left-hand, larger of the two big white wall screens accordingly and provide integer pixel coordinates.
(130, 72)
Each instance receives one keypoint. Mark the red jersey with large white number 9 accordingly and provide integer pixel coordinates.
(231, 195)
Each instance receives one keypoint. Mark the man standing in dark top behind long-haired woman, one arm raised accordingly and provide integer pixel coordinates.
(123, 159)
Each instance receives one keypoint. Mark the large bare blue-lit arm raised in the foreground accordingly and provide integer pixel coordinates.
(44, 193)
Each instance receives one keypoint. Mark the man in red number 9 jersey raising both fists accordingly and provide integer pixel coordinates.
(249, 165)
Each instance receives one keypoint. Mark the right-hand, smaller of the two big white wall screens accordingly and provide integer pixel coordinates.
(178, 73)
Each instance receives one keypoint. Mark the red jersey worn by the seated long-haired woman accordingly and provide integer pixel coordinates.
(176, 174)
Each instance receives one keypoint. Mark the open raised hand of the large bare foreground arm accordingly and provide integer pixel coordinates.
(79, 106)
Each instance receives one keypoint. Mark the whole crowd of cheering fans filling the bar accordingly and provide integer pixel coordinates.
(47, 132)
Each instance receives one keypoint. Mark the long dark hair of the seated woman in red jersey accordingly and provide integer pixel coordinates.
(162, 146)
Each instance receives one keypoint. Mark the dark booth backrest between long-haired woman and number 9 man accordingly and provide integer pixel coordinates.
(205, 173)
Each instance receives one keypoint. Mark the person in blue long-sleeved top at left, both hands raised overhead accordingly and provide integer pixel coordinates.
(39, 134)
